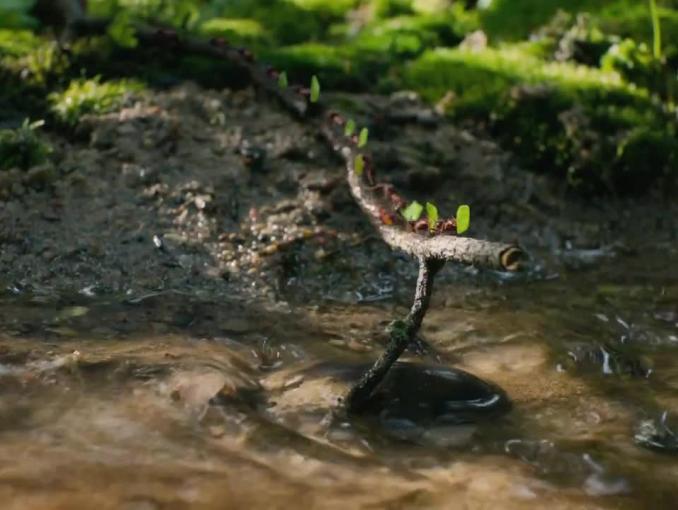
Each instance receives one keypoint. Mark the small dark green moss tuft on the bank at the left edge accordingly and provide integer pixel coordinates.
(23, 147)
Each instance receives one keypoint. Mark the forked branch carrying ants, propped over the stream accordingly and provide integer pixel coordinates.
(432, 246)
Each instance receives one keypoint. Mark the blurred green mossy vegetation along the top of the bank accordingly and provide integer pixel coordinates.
(573, 88)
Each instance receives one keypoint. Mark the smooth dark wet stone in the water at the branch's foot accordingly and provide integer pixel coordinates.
(435, 395)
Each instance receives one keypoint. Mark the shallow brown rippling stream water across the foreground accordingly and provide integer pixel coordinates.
(167, 401)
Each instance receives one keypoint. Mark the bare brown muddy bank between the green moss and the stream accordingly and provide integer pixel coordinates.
(222, 192)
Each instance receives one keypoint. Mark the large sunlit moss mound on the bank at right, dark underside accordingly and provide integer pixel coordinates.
(561, 118)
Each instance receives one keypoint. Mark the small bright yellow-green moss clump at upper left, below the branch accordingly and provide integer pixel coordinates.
(90, 96)
